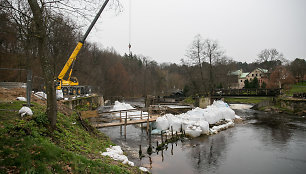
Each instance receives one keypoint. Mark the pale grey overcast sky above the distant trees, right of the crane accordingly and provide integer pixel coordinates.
(164, 29)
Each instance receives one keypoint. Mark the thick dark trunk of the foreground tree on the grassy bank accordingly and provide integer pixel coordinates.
(46, 65)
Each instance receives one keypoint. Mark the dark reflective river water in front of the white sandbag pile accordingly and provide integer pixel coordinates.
(263, 143)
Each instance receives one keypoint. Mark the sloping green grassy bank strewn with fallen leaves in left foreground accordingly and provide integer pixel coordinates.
(27, 145)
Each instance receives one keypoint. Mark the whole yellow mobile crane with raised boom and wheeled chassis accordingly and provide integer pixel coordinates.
(71, 85)
